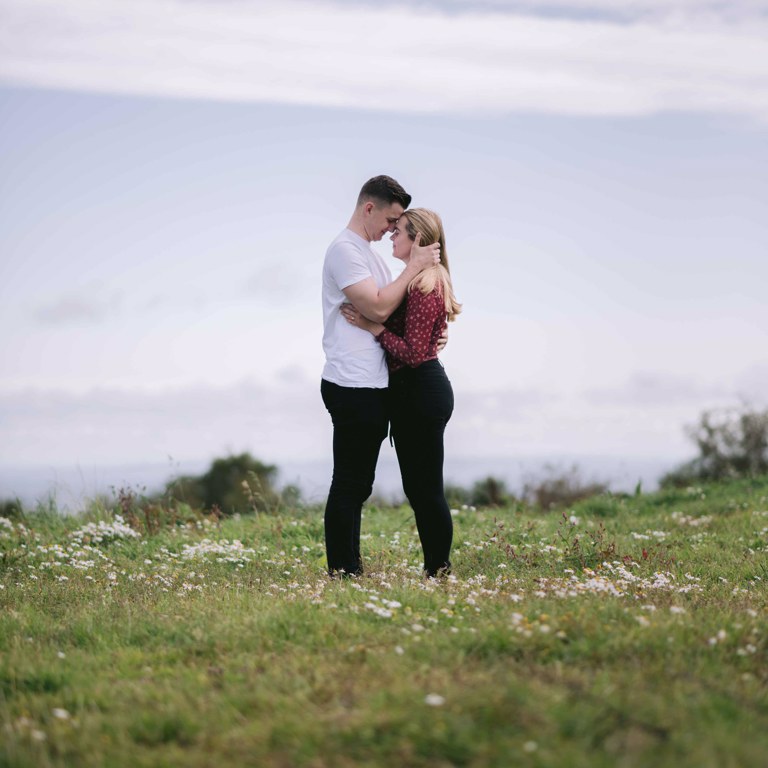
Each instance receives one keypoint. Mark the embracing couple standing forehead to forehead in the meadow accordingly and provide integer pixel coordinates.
(381, 340)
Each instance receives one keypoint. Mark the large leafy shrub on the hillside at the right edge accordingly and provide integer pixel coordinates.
(732, 443)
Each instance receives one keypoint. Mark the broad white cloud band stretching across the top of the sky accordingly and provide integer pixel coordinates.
(683, 58)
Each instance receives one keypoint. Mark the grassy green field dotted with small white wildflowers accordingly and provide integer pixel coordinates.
(628, 631)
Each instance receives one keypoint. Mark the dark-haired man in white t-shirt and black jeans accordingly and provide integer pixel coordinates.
(355, 377)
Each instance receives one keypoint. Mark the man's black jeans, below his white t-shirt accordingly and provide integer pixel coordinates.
(360, 418)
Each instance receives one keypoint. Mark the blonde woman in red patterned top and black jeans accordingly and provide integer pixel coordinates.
(421, 398)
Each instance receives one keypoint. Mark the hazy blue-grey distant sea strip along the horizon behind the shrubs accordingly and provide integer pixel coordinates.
(72, 486)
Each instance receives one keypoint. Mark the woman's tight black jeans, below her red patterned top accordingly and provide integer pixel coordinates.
(421, 403)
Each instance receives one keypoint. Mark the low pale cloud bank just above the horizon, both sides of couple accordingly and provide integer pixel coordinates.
(287, 421)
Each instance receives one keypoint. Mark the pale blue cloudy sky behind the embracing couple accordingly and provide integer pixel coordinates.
(173, 170)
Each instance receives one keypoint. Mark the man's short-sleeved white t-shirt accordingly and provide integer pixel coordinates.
(353, 357)
